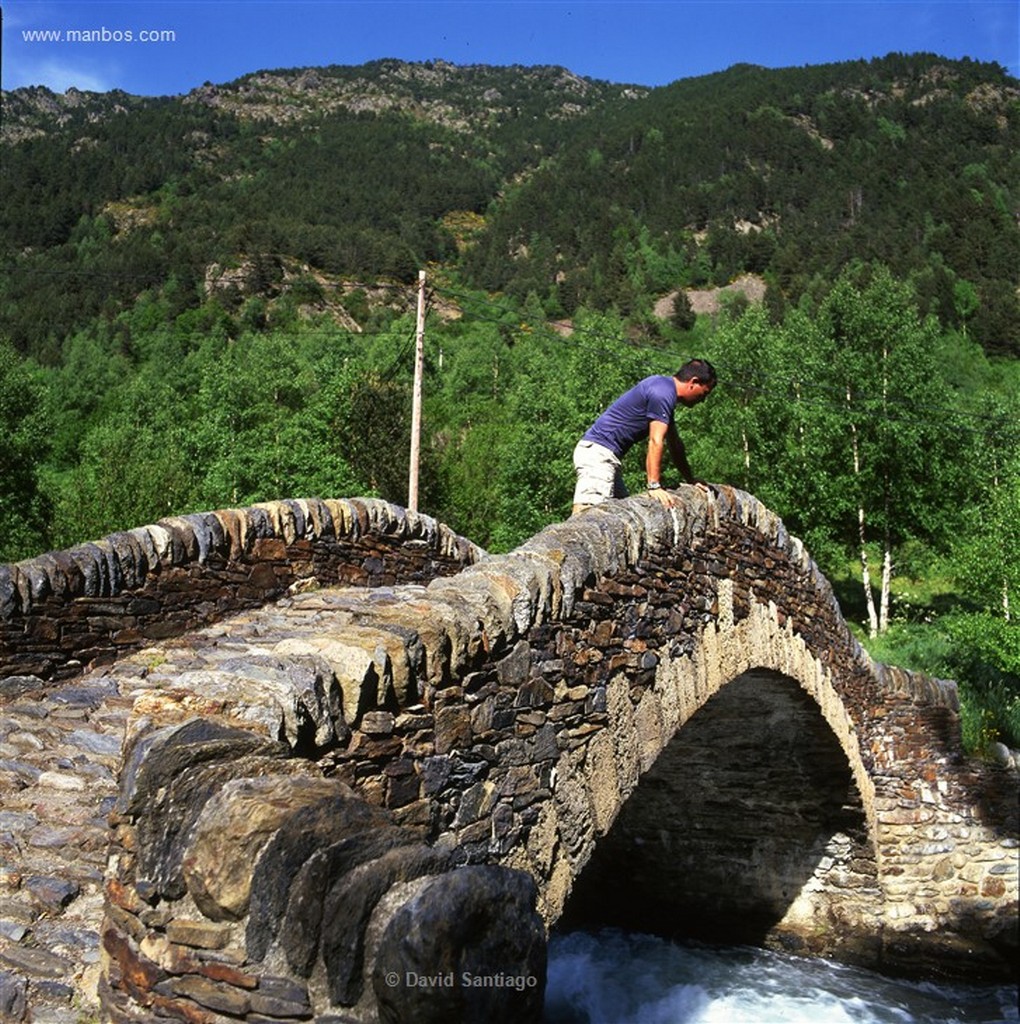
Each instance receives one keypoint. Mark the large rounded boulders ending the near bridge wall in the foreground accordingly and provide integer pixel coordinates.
(249, 886)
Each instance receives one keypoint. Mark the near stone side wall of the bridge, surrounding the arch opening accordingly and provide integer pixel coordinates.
(503, 717)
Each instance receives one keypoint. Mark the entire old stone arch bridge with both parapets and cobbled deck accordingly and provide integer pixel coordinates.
(353, 769)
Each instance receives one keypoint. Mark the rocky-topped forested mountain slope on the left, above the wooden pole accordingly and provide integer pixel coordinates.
(348, 170)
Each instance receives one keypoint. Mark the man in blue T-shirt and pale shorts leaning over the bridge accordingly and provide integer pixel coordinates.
(646, 411)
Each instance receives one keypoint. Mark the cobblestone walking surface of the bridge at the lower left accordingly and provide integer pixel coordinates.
(60, 753)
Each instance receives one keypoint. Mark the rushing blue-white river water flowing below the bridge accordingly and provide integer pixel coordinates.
(615, 977)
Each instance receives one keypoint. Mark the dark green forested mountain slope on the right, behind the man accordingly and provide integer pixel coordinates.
(793, 174)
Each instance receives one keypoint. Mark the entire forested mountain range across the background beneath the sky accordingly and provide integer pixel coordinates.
(592, 194)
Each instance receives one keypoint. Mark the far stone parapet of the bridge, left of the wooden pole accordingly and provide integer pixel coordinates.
(70, 611)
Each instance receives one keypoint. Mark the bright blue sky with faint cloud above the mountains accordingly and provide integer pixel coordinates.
(160, 49)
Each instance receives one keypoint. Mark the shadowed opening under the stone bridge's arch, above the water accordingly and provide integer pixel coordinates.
(748, 828)
